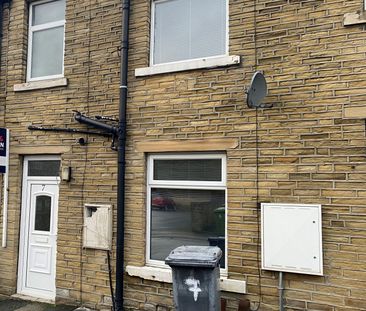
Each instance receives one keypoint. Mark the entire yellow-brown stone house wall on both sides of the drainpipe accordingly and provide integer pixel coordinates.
(309, 150)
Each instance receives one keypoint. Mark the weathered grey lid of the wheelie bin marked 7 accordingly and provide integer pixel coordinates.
(194, 256)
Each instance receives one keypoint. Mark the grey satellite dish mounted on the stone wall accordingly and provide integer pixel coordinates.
(257, 91)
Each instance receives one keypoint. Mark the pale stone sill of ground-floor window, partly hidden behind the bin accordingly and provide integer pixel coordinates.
(165, 275)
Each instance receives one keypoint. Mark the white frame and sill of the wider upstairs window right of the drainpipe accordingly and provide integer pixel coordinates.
(188, 64)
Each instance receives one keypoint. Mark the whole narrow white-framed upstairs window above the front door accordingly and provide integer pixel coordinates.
(46, 40)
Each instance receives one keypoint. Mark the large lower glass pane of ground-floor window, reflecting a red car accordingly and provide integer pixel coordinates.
(186, 217)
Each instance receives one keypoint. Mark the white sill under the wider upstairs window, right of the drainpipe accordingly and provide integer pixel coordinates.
(188, 65)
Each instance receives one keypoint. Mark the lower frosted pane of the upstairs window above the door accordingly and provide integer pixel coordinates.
(47, 52)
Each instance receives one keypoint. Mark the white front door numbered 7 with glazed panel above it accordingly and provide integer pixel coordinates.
(38, 238)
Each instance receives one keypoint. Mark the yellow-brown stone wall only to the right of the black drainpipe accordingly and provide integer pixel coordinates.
(309, 152)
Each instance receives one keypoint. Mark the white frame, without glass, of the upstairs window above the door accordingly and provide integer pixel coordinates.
(33, 29)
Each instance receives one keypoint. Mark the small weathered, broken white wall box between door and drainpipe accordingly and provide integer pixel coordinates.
(97, 226)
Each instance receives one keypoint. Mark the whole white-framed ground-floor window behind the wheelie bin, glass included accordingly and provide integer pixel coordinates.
(186, 203)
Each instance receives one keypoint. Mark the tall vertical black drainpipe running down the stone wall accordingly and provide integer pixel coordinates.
(121, 157)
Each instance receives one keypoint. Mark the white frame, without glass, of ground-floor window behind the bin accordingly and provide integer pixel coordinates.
(182, 184)
